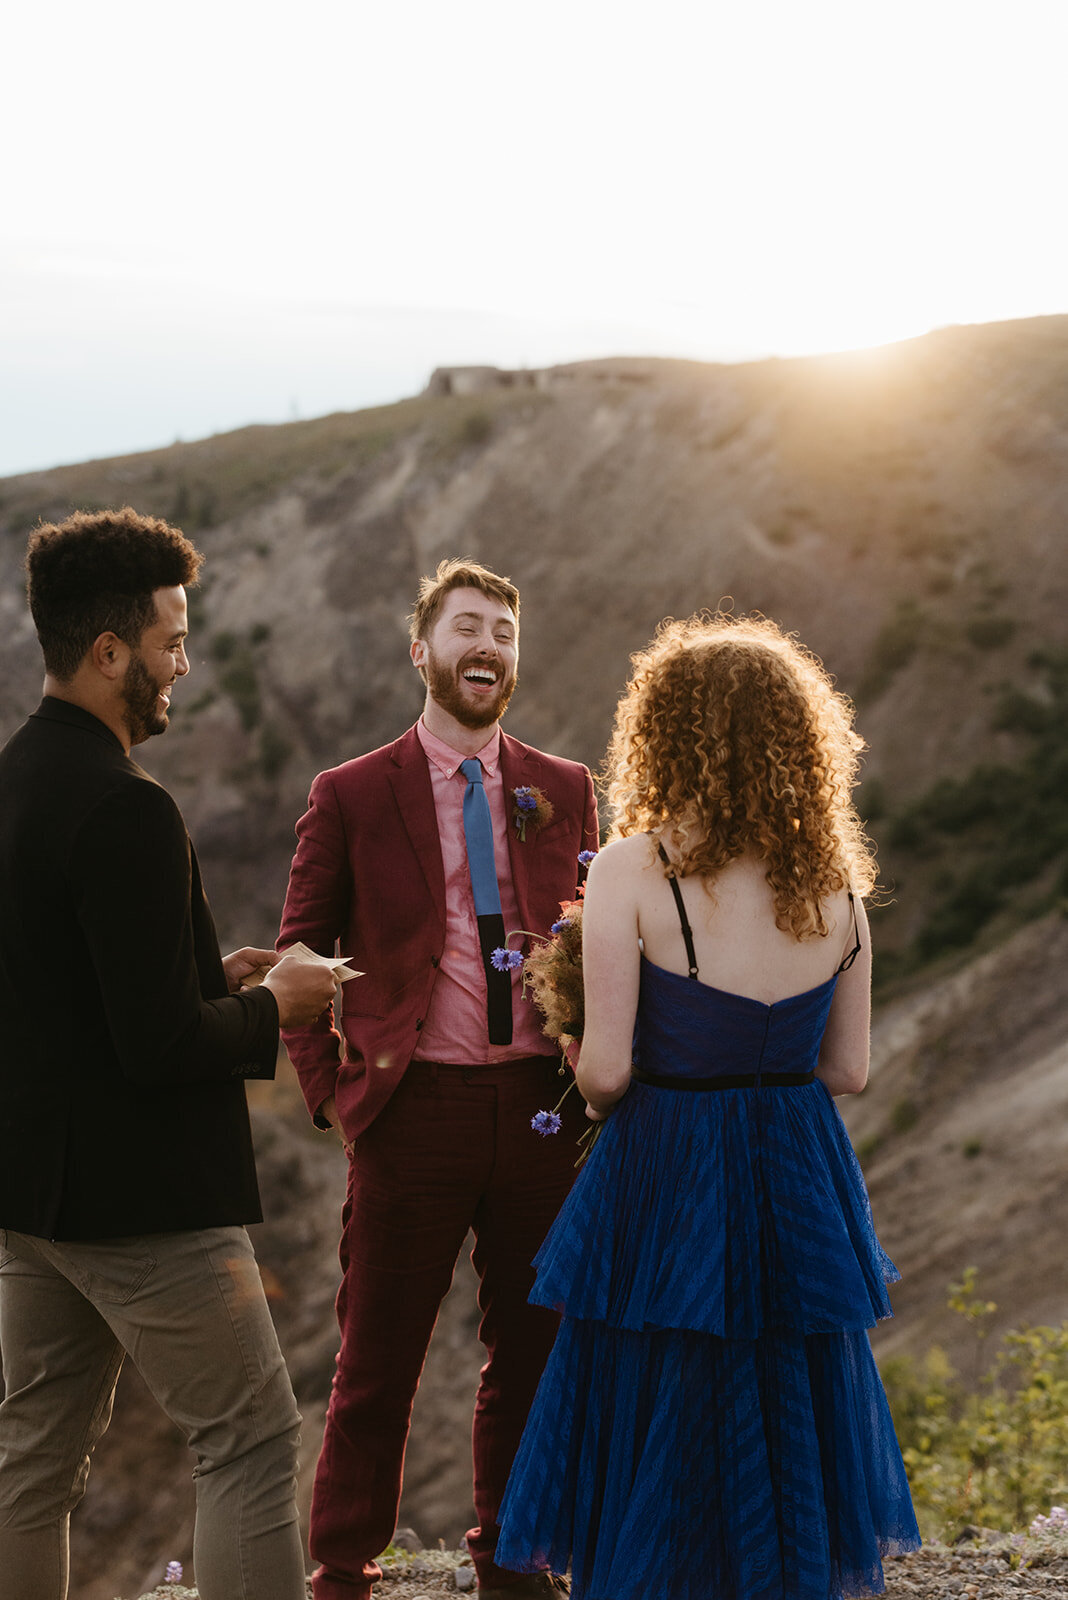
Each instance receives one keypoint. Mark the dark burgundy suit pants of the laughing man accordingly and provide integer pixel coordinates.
(452, 1151)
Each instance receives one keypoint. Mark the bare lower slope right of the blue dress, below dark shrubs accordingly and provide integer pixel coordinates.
(963, 1134)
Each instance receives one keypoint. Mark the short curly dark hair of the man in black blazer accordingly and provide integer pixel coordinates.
(97, 574)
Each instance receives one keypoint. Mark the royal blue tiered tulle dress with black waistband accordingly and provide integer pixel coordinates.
(711, 1425)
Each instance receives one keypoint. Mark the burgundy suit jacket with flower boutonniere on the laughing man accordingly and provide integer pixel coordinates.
(367, 879)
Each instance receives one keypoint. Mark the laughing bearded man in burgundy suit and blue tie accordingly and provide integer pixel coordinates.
(418, 860)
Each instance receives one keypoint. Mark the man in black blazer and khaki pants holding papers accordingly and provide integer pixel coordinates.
(127, 1162)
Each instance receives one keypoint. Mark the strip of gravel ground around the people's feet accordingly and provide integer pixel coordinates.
(997, 1570)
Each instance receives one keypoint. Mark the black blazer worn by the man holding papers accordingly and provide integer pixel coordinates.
(122, 1055)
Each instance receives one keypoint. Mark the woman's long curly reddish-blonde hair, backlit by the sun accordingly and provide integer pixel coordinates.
(733, 735)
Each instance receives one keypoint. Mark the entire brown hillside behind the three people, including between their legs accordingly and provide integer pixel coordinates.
(904, 511)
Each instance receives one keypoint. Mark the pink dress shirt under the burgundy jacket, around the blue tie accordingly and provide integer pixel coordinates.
(455, 1028)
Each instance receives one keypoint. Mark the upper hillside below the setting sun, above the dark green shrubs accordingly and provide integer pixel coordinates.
(903, 510)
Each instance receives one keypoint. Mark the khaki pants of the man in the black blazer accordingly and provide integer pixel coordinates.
(191, 1313)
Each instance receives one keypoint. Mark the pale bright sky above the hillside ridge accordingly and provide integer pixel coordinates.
(233, 214)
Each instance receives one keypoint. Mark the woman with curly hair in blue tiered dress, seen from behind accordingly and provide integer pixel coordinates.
(711, 1425)
